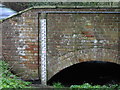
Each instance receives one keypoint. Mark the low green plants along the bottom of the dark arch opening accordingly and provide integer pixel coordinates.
(87, 85)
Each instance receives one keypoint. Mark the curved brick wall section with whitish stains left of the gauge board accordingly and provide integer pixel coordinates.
(20, 46)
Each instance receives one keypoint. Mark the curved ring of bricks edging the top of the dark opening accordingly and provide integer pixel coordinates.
(71, 58)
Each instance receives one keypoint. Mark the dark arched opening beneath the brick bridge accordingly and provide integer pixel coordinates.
(93, 72)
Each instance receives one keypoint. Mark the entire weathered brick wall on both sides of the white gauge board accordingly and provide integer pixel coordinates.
(71, 39)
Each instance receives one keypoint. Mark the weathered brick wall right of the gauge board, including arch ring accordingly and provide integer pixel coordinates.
(75, 38)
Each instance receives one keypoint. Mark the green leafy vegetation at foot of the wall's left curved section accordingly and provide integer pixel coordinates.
(8, 80)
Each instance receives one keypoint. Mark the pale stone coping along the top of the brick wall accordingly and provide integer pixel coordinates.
(61, 7)
